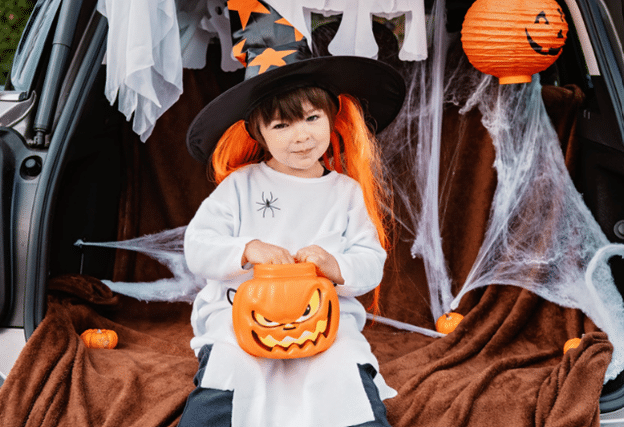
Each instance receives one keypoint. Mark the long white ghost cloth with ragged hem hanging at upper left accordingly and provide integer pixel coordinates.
(144, 62)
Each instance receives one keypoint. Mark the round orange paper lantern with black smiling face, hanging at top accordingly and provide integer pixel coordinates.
(513, 39)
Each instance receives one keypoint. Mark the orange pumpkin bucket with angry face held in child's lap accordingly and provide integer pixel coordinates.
(286, 311)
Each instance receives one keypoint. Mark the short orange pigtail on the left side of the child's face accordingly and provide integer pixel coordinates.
(234, 150)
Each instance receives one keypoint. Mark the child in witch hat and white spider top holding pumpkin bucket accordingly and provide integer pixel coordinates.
(277, 203)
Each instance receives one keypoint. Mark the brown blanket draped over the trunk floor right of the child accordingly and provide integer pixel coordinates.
(503, 365)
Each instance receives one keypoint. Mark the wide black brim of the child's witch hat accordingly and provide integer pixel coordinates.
(379, 88)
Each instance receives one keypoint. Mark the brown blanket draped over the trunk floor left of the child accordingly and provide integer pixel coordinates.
(58, 381)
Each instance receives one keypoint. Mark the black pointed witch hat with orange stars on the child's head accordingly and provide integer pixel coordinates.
(277, 58)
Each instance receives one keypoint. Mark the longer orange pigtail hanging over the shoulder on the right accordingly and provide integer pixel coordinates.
(363, 163)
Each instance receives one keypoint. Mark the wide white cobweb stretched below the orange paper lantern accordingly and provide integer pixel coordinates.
(541, 236)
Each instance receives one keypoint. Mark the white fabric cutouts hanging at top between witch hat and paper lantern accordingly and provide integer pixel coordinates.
(355, 34)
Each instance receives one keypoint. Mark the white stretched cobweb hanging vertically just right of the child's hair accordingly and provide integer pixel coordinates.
(417, 187)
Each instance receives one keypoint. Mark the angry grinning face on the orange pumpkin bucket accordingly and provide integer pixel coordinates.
(311, 327)
